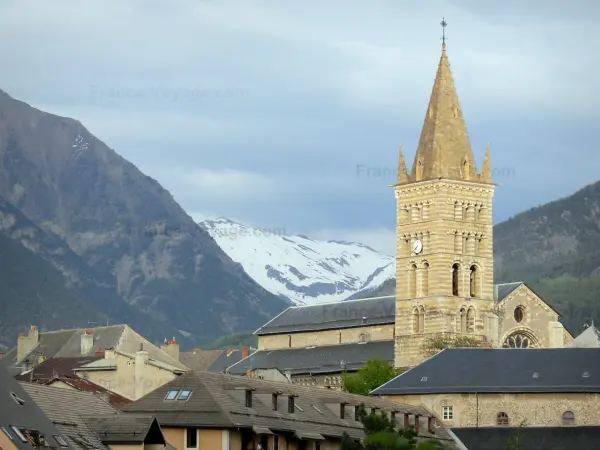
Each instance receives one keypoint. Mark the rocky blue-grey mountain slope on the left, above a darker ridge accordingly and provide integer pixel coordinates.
(124, 225)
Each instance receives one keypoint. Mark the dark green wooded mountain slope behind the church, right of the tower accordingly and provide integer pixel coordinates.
(555, 249)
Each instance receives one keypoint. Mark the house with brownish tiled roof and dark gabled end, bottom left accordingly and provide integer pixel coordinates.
(89, 422)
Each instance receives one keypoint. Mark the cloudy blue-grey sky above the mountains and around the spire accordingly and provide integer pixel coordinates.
(288, 114)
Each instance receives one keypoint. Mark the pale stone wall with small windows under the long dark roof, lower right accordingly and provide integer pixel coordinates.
(470, 410)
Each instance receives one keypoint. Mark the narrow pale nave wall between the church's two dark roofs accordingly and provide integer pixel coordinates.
(326, 337)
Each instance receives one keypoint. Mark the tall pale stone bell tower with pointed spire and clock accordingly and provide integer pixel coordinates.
(444, 254)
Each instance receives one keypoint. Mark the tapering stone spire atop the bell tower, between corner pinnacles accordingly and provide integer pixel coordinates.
(444, 148)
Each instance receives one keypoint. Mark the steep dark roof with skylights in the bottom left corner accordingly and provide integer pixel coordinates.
(23, 424)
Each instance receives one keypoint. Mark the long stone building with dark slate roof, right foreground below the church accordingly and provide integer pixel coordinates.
(481, 387)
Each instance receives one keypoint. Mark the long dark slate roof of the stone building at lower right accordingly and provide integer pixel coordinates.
(470, 370)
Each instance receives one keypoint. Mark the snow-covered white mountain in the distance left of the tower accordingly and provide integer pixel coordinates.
(300, 269)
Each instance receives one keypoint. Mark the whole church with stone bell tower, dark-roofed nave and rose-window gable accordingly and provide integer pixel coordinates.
(444, 271)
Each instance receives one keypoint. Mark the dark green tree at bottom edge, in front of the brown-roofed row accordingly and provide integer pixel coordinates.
(381, 434)
